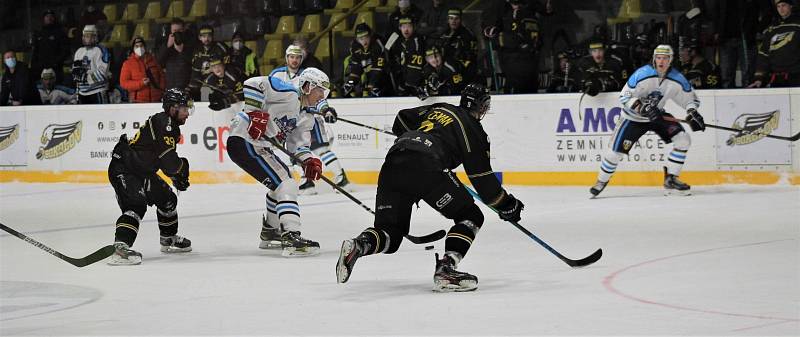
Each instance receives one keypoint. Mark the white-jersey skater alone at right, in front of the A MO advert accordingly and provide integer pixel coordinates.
(643, 98)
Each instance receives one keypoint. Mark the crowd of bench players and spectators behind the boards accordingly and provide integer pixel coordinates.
(425, 50)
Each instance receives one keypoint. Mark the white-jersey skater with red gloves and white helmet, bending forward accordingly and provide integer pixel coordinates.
(273, 112)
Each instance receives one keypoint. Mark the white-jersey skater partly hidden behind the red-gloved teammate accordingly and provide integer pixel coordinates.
(320, 137)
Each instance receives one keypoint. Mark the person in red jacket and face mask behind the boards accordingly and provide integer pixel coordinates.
(141, 75)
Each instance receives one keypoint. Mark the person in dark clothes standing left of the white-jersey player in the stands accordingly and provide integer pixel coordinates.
(50, 47)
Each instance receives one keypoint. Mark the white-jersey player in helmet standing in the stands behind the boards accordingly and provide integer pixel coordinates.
(90, 69)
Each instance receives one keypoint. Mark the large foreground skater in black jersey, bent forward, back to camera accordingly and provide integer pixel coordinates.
(433, 140)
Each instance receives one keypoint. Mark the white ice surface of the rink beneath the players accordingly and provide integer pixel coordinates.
(725, 261)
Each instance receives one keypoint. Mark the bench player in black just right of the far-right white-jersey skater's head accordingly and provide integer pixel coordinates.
(701, 73)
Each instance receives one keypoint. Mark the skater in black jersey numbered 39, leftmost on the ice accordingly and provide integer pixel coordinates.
(132, 173)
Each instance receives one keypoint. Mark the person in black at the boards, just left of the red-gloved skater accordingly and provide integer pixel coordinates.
(227, 86)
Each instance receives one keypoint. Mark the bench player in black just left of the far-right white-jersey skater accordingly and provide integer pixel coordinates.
(598, 73)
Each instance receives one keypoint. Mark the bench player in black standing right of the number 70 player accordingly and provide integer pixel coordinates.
(460, 45)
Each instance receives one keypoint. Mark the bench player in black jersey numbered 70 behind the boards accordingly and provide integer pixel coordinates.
(407, 56)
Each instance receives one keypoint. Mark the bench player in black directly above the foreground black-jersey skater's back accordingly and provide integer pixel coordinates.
(440, 77)
